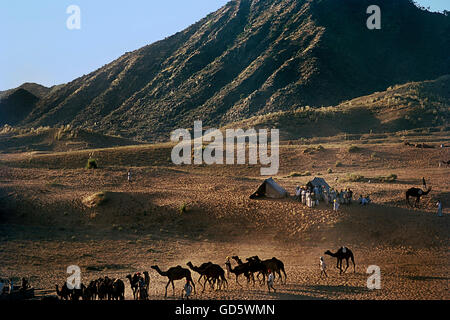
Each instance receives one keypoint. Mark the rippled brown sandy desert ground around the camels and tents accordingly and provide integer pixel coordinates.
(45, 226)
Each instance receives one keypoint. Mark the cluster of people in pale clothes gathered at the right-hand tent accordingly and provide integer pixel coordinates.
(311, 196)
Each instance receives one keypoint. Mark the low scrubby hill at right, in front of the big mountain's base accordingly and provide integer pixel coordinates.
(402, 107)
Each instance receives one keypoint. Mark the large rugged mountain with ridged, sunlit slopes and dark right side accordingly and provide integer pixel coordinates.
(251, 58)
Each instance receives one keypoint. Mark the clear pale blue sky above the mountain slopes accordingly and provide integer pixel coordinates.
(37, 46)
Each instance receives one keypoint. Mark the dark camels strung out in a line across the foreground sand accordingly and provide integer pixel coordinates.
(209, 273)
